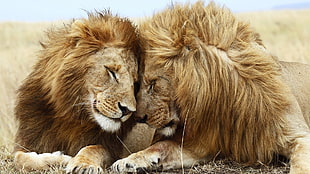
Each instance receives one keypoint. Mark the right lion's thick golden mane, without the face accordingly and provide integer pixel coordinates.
(228, 88)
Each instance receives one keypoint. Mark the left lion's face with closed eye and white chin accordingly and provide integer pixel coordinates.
(110, 82)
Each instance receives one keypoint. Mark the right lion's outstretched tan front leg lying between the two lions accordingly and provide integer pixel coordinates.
(160, 156)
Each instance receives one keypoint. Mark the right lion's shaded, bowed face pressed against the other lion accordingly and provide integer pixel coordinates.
(156, 105)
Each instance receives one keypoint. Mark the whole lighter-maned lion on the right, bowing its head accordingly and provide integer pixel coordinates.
(211, 88)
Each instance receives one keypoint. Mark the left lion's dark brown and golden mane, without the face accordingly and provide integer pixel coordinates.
(49, 107)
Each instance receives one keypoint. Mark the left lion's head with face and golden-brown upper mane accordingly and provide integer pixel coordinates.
(92, 68)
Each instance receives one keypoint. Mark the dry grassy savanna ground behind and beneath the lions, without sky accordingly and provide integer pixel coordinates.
(285, 34)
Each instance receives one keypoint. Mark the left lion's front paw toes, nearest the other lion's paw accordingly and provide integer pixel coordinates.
(78, 166)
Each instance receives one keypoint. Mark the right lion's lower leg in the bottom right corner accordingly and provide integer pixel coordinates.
(300, 156)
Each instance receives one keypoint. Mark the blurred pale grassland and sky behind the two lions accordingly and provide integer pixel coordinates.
(284, 26)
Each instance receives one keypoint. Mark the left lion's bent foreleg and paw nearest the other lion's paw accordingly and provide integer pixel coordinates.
(90, 159)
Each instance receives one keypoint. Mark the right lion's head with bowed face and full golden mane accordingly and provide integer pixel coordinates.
(204, 69)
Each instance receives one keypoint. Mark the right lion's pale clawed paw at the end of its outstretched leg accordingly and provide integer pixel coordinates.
(137, 163)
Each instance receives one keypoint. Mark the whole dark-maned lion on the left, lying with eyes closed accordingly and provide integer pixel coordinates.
(78, 100)
